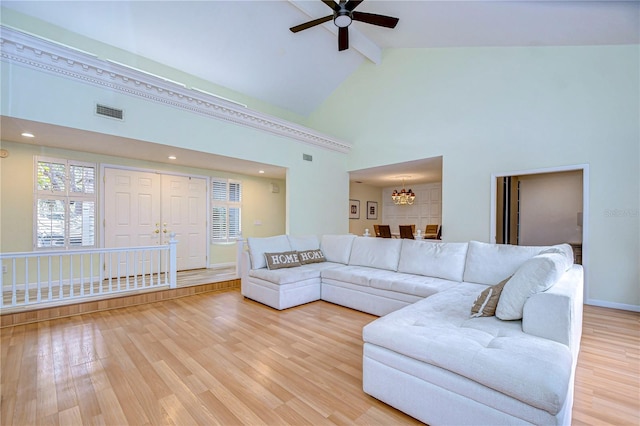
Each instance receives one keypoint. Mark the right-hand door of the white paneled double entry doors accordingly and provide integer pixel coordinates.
(184, 205)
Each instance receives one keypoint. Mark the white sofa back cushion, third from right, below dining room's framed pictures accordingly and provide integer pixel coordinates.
(381, 253)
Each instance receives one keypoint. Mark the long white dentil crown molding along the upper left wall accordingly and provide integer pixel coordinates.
(28, 50)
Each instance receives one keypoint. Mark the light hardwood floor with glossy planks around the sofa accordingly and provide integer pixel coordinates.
(217, 358)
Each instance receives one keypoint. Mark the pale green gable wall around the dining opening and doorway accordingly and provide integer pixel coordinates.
(495, 110)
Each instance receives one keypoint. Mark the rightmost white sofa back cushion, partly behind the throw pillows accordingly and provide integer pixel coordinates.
(491, 263)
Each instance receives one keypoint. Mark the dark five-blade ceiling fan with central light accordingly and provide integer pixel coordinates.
(343, 15)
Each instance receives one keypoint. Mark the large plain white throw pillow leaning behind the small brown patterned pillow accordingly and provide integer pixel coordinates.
(534, 276)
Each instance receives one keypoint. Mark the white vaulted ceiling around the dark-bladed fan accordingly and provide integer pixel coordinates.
(247, 46)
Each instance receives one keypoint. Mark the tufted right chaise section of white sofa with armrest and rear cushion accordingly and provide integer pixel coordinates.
(436, 362)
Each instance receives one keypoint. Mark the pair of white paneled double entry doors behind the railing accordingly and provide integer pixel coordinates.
(144, 208)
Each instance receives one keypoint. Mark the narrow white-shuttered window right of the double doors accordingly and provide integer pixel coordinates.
(226, 209)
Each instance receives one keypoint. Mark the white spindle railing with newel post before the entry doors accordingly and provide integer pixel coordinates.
(39, 277)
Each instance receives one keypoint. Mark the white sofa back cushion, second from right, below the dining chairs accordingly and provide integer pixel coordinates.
(439, 260)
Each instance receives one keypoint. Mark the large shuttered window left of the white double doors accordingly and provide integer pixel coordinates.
(65, 203)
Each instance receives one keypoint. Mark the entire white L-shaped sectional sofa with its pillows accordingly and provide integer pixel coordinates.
(510, 362)
